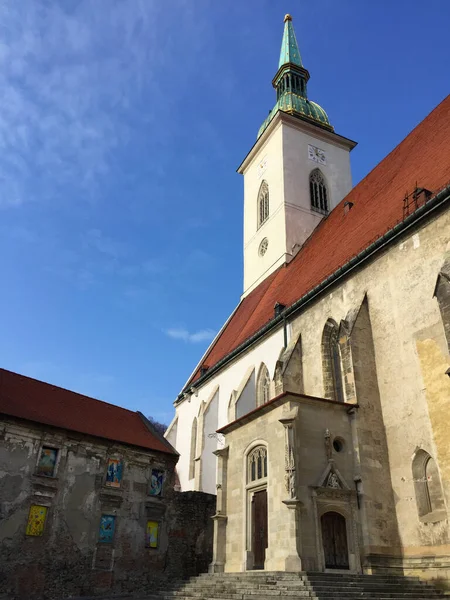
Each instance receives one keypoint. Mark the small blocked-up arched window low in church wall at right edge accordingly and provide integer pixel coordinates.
(427, 485)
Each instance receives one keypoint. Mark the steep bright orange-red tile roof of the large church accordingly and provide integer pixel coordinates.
(422, 157)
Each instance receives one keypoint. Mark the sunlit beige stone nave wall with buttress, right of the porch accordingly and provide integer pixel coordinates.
(408, 364)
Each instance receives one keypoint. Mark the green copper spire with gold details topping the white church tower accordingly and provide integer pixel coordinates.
(291, 82)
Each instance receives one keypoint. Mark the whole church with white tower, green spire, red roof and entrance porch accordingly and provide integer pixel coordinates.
(319, 413)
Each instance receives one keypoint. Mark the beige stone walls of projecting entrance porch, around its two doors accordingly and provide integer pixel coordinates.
(311, 462)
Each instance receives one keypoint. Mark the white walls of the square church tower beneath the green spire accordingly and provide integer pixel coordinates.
(283, 157)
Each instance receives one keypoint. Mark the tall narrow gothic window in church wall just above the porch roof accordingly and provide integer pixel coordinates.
(331, 362)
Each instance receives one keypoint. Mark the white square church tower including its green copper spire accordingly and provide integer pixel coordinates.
(295, 174)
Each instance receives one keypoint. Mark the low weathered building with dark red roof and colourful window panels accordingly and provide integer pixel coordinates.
(88, 500)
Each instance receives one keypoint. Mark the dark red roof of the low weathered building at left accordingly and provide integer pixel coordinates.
(41, 402)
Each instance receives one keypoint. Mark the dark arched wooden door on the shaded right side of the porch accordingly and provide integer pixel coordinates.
(334, 540)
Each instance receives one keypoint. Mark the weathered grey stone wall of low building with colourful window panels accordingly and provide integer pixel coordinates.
(69, 558)
